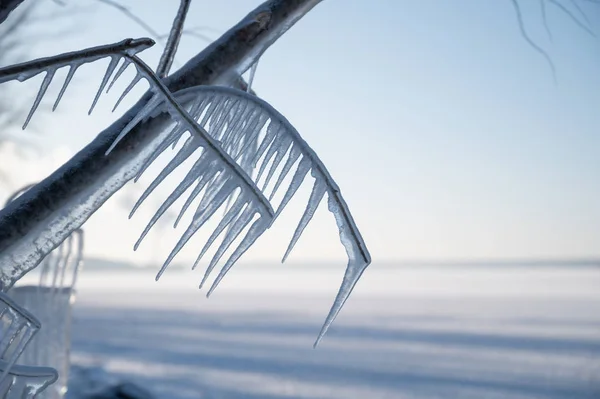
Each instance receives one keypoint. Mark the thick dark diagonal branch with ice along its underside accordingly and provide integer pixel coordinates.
(39, 220)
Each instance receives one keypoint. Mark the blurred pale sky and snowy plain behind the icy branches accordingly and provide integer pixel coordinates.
(470, 162)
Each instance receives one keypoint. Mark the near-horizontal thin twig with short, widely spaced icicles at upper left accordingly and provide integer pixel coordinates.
(72, 60)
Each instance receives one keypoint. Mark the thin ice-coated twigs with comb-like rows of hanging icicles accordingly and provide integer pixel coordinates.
(242, 151)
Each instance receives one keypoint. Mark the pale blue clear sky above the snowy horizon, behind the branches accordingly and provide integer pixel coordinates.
(443, 127)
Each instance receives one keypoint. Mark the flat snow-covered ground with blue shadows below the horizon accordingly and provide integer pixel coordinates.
(405, 333)
